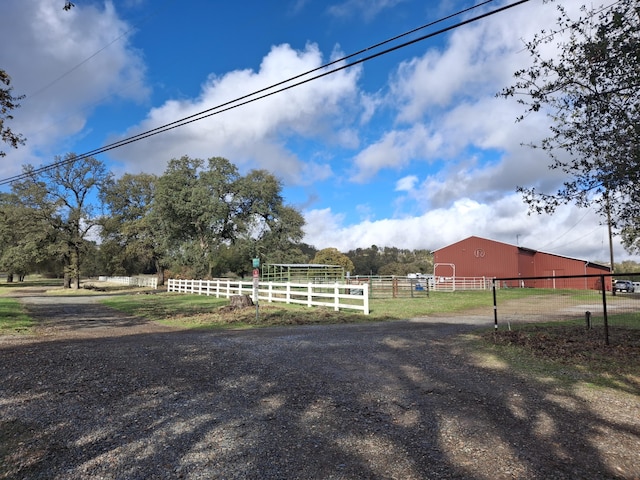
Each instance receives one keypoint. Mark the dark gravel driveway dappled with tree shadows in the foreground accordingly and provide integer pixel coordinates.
(100, 395)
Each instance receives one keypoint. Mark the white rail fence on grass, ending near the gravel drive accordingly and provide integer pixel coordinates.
(334, 295)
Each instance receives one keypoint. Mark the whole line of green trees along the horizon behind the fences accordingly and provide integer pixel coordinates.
(199, 219)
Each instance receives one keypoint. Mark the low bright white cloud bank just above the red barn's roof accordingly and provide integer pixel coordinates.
(572, 232)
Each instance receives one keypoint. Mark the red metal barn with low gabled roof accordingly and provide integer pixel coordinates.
(480, 257)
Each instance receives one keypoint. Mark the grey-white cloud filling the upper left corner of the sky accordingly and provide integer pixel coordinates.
(66, 63)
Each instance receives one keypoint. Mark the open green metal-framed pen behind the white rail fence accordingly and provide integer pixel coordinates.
(302, 273)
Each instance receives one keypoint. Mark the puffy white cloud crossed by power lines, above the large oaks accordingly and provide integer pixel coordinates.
(256, 134)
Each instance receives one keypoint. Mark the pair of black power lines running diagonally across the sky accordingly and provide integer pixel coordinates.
(264, 92)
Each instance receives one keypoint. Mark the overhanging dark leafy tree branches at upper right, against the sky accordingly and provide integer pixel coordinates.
(590, 92)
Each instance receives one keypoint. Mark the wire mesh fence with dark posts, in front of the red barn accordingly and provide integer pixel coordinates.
(609, 304)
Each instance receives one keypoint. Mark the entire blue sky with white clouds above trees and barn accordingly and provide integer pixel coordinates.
(411, 149)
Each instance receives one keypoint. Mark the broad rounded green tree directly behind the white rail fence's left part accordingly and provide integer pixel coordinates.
(214, 220)
